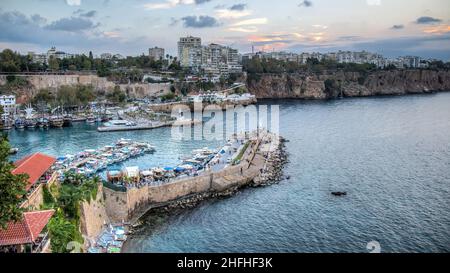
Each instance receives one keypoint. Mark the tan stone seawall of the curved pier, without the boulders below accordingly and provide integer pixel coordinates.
(124, 206)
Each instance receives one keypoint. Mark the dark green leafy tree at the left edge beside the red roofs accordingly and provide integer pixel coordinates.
(12, 187)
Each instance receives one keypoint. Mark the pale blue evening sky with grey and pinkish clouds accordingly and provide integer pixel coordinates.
(129, 27)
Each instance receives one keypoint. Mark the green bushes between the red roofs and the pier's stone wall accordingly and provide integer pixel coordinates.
(66, 199)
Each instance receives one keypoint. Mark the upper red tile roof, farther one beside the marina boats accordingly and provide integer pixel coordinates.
(35, 166)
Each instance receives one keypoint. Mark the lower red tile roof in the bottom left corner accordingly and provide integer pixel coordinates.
(27, 230)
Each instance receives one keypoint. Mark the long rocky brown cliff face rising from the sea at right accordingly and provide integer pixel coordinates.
(348, 84)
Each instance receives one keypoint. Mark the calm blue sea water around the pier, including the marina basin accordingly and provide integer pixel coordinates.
(391, 154)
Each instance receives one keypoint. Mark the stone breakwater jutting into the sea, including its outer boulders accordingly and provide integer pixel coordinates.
(261, 165)
